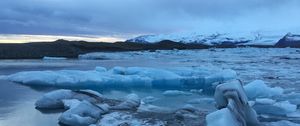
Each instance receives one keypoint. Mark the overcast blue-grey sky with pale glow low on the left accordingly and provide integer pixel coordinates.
(117, 20)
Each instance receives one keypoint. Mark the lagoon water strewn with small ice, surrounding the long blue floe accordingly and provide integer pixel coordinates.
(277, 67)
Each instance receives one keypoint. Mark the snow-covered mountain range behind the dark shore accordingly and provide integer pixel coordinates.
(214, 39)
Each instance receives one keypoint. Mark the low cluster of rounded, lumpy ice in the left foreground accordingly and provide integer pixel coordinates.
(84, 107)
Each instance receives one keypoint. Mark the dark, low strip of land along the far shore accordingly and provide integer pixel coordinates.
(71, 49)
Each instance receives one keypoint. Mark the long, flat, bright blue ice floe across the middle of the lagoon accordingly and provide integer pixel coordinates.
(126, 77)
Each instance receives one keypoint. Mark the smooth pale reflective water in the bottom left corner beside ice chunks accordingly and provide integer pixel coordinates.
(17, 107)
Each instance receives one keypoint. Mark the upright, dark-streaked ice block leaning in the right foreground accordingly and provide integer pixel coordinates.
(234, 109)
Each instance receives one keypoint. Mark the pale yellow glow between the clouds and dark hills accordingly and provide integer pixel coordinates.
(15, 38)
